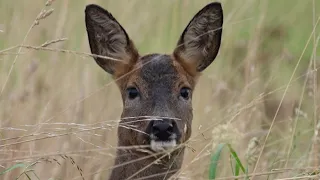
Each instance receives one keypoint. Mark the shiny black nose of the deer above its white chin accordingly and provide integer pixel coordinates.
(162, 130)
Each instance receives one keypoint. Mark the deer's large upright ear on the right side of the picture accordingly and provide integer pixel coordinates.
(200, 41)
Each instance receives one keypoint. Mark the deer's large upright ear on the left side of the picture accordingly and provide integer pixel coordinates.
(108, 38)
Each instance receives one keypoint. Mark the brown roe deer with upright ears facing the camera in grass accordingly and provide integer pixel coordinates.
(156, 89)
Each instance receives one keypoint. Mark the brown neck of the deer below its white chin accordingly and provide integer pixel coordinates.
(140, 164)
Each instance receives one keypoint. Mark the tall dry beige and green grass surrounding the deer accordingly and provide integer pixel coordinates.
(59, 111)
